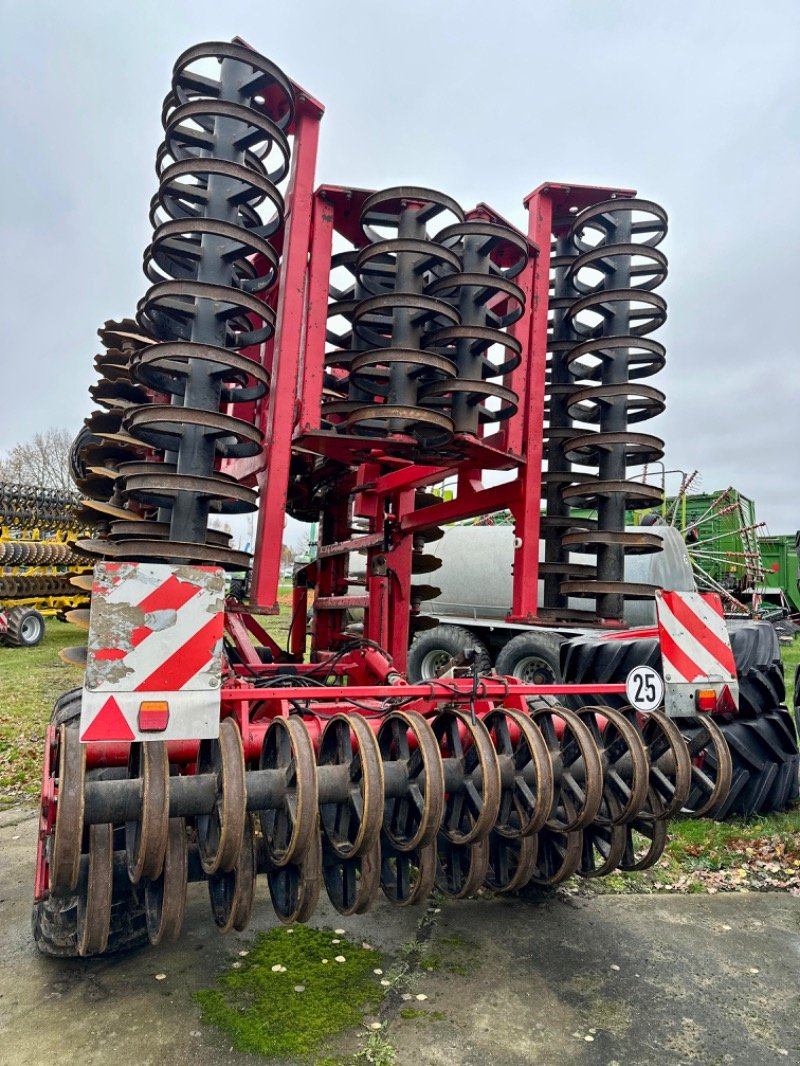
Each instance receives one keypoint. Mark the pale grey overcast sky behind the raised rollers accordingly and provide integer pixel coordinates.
(695, 105)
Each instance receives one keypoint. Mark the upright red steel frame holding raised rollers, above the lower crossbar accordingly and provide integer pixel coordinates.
(382, 483)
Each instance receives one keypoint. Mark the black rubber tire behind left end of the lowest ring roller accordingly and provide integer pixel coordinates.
(55, 920)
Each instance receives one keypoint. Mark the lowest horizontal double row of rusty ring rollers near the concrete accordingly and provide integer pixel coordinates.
(392, 801)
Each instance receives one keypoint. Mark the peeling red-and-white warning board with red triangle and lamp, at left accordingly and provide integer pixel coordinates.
(155, 653)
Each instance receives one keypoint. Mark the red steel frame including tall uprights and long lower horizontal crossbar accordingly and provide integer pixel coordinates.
(382, 481)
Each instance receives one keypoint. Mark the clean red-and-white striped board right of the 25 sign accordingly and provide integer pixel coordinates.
(696, 645)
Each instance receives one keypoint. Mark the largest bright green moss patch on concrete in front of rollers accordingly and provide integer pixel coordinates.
(262, 1011)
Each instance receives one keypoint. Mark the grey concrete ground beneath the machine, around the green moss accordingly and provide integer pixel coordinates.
(618, 981)
